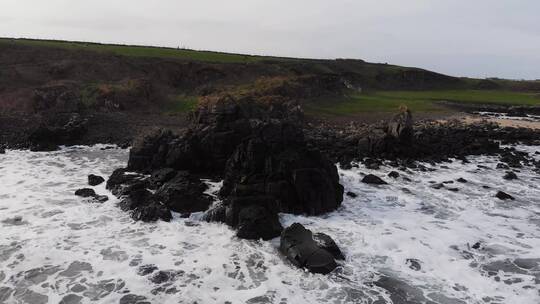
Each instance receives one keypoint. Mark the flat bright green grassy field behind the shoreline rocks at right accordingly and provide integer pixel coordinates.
(418, 101)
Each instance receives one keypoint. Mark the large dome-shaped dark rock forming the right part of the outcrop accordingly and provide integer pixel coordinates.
(275, 161)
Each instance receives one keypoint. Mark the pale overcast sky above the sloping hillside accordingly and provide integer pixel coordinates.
(474, 38)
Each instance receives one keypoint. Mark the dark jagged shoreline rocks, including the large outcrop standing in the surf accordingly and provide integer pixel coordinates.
(272, 162)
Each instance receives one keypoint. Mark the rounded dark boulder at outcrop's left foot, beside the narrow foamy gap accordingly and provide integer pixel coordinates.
(184, 194)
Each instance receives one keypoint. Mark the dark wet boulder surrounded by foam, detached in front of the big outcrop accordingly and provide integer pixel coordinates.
(298, 245)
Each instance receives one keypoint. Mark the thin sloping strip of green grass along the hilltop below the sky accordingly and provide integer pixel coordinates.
(141, 51)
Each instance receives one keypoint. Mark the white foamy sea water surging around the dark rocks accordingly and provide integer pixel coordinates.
(57, 247)
